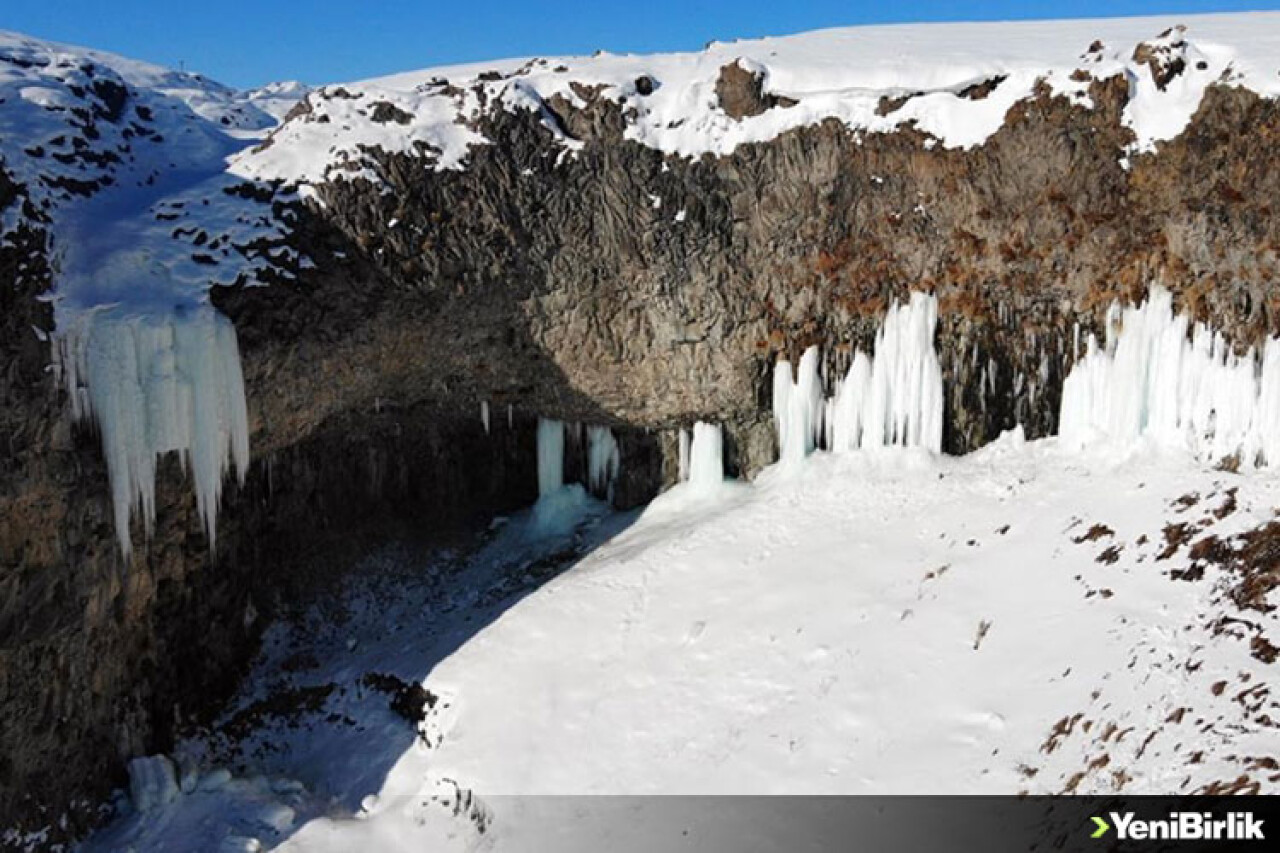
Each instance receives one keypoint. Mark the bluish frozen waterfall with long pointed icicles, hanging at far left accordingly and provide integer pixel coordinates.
(156, 385)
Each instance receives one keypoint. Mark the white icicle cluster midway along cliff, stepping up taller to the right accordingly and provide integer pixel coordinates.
(894, 399)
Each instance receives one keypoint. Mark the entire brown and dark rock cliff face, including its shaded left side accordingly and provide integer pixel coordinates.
(556, 286)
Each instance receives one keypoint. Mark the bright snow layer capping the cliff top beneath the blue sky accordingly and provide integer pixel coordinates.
(953, 81)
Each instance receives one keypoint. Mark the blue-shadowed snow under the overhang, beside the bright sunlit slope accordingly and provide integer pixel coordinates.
(335, 700)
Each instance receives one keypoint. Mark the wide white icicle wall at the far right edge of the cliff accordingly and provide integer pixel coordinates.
(1180, 385)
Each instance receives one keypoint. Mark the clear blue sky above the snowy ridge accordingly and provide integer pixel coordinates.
(248, 43)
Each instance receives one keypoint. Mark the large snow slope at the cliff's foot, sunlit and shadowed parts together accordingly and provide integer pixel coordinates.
(884, 623)
